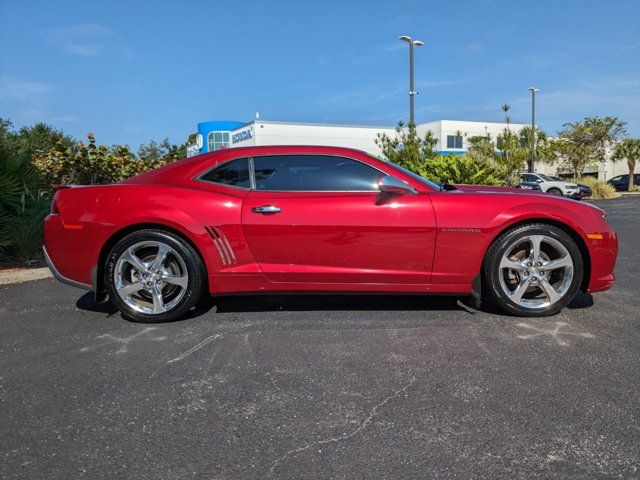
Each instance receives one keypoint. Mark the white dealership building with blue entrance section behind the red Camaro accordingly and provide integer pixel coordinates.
(451, 135)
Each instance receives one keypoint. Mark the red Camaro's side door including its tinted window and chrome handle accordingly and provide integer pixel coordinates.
(322, 219)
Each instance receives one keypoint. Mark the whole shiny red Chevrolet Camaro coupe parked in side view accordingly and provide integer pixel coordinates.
(320, 219)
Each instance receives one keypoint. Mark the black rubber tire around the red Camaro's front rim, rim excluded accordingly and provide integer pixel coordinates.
(492, 289)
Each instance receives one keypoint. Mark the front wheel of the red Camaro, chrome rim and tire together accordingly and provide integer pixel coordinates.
(533, 270)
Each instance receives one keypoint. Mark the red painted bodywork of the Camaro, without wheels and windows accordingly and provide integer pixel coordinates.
(433, 241)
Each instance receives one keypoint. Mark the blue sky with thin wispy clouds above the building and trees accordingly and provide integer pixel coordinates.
(134, 71)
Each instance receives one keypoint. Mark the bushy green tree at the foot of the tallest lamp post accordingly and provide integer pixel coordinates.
(406, 148)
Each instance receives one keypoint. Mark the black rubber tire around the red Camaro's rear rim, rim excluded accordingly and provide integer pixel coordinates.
(192, 261)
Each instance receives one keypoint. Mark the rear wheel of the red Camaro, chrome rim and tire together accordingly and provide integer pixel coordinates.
(154, 276)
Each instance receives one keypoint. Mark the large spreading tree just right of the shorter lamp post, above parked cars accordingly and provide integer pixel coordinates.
(582, 144)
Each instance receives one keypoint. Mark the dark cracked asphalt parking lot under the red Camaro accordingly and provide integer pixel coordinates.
(324, 387)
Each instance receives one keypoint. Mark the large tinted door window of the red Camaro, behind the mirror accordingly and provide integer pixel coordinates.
(314, 173)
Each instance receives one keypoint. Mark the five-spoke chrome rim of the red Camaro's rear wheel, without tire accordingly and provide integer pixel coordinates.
(151, 277)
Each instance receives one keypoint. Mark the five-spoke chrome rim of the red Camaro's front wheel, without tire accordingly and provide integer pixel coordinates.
(536, 271)
